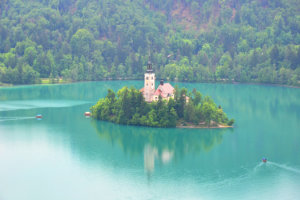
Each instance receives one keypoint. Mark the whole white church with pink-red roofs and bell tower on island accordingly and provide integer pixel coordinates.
(165, 90)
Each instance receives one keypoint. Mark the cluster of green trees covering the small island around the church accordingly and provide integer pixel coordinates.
(130, 107)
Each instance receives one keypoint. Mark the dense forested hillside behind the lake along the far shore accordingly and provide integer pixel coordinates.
(189, 40)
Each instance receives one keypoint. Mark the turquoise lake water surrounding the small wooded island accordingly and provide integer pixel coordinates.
(67, 156)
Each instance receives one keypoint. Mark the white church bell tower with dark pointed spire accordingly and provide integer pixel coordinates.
(149, 83)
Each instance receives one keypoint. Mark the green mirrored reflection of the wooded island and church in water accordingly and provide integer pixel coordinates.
(159, 145)
